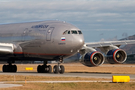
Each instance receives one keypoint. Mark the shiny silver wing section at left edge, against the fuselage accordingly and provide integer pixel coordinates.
(6, 48)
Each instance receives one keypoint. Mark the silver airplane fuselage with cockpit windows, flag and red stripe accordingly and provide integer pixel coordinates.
(48, 40)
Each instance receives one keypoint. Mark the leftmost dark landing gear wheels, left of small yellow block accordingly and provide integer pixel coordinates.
(9, 68)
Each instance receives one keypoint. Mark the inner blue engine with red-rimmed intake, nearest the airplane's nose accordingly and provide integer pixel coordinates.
(92, 59)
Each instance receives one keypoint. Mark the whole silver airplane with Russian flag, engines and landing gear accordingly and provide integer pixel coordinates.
(53, 41)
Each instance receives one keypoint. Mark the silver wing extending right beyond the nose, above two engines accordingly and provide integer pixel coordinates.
(109, 43)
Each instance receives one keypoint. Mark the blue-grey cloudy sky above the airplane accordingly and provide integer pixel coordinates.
(98, 19)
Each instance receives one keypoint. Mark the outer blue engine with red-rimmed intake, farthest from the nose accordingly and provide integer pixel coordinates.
(116, 56)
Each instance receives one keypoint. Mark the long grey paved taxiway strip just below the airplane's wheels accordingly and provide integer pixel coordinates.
(82, 75)
